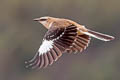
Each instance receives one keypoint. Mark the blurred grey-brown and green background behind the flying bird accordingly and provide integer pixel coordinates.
(20, 38)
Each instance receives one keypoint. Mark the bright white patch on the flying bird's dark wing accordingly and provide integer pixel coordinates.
(45, 47)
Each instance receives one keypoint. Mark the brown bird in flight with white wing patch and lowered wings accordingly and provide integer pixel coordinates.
(63, 36)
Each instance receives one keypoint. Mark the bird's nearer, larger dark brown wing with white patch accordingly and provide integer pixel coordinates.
(55, 42)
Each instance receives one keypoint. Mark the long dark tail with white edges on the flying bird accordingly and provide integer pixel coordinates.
(99, 36)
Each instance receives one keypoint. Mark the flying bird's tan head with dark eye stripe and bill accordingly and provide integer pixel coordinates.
(46, 21)
